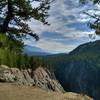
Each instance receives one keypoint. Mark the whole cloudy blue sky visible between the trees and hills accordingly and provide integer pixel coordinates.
(68, 27)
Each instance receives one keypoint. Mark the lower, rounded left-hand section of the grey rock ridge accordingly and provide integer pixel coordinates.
(15, 75)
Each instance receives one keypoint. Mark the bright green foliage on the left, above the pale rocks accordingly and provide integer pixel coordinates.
(11, 54)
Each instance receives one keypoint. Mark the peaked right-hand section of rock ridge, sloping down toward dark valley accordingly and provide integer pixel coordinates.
(44, 80)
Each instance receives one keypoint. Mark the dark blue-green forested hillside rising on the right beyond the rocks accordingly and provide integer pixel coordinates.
(79, 71)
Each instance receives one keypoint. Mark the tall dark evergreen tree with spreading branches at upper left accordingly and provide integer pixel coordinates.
(14, 15)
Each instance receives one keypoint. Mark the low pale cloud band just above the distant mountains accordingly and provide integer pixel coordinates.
(53, 46)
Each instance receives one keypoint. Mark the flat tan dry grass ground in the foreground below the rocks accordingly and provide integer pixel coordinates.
(15, 92)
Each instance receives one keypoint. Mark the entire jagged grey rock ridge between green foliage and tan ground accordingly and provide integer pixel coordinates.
(40, 78)
